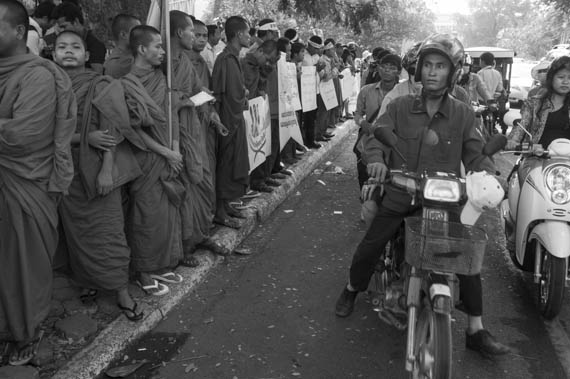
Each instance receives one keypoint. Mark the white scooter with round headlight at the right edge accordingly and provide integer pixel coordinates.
(536, 218)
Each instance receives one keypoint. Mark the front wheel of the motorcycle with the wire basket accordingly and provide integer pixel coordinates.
(432, 347)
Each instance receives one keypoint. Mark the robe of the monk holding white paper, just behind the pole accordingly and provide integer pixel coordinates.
(197, 175)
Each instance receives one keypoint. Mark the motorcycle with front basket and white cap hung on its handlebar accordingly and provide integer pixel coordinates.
(414, 284)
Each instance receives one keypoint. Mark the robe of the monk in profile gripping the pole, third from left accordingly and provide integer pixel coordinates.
(153, 219)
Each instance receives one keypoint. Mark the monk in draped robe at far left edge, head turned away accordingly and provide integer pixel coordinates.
(37, 122)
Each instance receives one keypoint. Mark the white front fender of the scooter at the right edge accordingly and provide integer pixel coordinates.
(554, 236)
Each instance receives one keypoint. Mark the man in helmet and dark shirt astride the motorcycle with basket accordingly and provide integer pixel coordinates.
(410, 117)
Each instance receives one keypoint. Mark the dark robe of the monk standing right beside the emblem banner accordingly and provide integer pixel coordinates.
(232, 172)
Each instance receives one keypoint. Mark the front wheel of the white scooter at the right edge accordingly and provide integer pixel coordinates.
(552, 283)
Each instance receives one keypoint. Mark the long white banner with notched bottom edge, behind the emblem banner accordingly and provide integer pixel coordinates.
(287, 81)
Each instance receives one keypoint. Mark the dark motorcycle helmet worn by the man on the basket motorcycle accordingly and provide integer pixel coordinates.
(449, 47)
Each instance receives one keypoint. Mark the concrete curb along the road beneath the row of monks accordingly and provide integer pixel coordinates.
(94, 358)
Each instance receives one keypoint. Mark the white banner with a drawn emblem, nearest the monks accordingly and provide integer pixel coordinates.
(258, 131)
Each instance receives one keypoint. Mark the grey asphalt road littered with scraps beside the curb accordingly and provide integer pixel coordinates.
(271, 314)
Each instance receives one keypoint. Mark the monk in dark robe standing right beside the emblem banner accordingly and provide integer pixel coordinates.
(232, 172)
